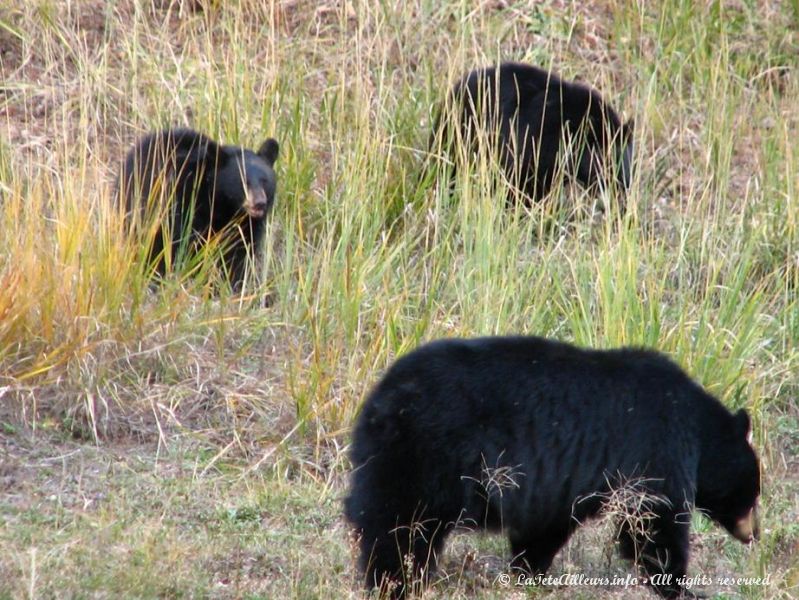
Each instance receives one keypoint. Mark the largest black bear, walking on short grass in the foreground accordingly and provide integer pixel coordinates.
(531, 436)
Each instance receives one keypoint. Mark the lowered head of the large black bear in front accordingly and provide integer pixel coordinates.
(728, 483)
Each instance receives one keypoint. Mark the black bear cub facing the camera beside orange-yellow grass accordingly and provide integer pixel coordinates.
(209, 189)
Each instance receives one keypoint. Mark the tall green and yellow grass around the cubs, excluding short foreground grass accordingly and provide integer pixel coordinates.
(367, 256)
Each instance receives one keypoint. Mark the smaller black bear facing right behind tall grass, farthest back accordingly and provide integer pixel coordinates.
(532, 122)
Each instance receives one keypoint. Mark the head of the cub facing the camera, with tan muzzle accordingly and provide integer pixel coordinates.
(246, 179)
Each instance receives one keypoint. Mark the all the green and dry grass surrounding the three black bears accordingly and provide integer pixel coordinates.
(183, 443)
